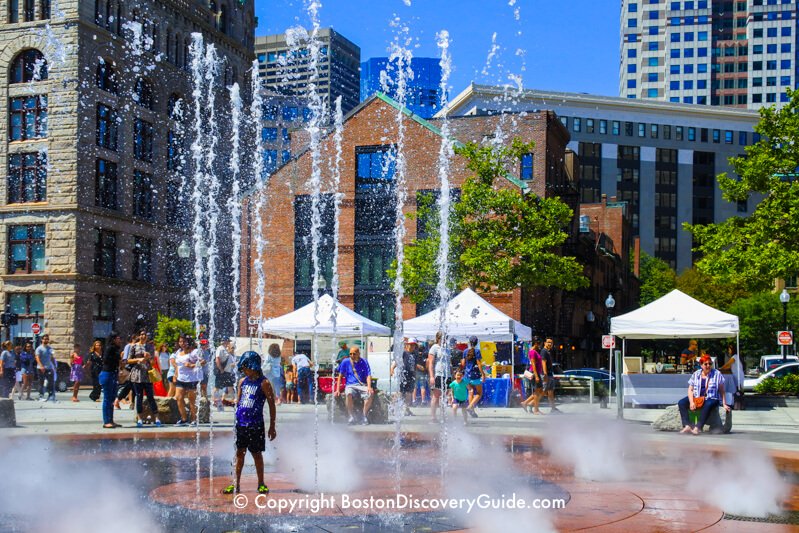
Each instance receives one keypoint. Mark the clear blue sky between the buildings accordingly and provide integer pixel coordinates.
(564, 45)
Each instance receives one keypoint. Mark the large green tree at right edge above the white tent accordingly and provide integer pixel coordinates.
(752, 251)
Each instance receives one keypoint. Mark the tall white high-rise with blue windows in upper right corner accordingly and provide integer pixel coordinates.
(710, 52)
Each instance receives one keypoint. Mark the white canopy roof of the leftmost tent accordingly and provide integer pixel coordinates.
(299, 324)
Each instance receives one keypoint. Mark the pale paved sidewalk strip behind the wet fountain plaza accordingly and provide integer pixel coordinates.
(776, 427)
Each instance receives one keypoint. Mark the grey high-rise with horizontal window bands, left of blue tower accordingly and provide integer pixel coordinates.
(284, 67)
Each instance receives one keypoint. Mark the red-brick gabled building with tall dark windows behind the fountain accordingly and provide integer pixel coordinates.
(366, 246)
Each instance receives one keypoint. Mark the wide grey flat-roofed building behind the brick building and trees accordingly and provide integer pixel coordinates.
(660, 158)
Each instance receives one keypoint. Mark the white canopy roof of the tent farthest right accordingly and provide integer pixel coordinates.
(675, 315)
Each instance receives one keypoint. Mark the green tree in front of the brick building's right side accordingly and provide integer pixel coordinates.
(499, 239)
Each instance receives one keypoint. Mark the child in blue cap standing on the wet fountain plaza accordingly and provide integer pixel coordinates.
(254, 391)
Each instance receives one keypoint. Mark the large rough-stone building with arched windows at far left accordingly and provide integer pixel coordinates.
(93, 157)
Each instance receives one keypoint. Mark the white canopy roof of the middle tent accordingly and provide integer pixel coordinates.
(468, 314)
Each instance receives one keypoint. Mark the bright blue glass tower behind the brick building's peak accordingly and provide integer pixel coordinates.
(423, 93)
